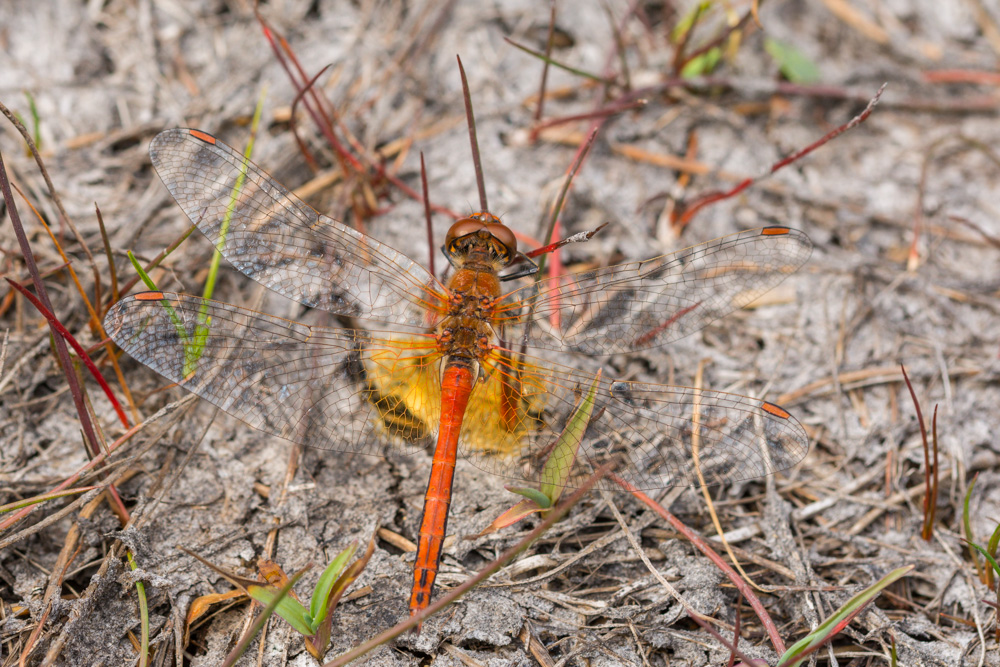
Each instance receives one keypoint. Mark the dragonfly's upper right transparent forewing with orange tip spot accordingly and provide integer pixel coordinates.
(637, 305)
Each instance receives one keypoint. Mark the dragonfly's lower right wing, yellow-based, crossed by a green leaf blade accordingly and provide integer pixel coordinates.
(657, 435)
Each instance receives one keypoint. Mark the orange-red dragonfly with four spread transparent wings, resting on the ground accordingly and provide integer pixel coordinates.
(471, 365)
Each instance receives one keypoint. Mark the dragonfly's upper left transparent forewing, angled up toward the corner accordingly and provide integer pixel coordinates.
(272, 237)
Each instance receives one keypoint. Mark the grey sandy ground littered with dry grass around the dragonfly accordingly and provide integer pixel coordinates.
(906, 269)
